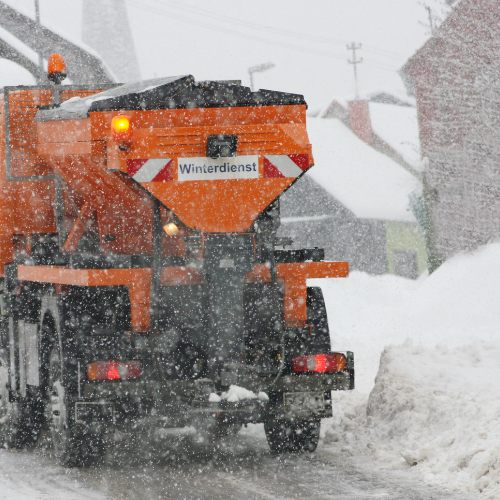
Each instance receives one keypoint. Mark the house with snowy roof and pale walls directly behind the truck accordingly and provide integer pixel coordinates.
(355, 203)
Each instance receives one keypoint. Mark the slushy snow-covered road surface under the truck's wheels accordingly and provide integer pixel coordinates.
(244, 469)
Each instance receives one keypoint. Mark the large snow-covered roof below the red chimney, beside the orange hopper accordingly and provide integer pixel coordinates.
(369, 183)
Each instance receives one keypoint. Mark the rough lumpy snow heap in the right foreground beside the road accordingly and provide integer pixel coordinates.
(439, 409)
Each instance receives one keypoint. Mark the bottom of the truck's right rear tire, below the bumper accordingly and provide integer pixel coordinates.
(292, 437)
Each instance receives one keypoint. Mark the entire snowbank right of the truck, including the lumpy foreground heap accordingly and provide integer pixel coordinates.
(435, 406)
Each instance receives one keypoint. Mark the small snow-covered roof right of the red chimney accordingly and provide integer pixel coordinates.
(398, 126)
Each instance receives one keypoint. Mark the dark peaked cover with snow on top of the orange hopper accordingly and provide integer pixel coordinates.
(170, 93)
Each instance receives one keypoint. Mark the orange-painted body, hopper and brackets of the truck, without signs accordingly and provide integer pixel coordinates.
(84, 157)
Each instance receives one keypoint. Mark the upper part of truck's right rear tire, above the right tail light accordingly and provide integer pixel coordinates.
(319, 340)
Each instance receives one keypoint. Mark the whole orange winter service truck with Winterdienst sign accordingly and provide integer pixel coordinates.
(143, 280)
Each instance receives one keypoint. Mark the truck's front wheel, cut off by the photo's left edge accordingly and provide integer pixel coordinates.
(20, 422)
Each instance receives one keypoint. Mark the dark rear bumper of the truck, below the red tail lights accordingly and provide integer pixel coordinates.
(181, 403)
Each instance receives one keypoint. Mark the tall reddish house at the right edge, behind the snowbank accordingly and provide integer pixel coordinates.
(455, 79)
